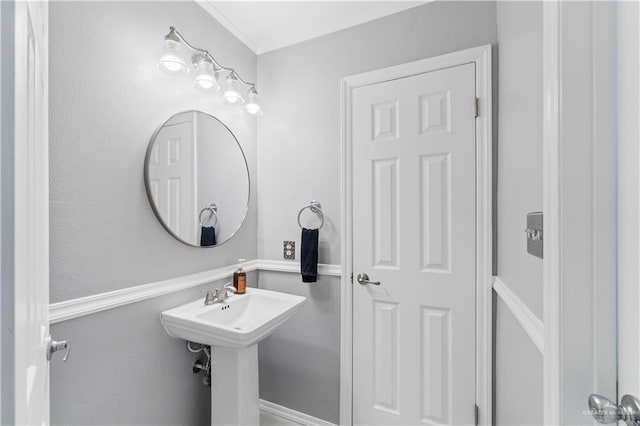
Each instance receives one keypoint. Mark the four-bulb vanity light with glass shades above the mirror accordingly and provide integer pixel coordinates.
(207, 72)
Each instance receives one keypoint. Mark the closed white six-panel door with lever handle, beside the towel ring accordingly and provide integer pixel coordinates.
(414, 160)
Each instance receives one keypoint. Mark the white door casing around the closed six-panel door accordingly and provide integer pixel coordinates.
(481, 57)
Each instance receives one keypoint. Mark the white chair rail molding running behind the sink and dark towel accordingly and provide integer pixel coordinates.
(75, 308)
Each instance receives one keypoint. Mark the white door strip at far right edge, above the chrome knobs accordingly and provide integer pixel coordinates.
(628, 77)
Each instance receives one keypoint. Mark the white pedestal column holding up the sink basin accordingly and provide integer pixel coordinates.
(234, 386)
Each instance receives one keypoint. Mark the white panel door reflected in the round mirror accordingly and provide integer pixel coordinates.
(172, 179)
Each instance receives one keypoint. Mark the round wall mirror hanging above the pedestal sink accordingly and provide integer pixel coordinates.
(197, 179)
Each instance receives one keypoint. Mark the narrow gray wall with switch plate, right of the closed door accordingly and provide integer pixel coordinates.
(518, 362)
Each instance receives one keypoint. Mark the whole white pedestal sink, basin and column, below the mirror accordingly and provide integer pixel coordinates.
(233, 329)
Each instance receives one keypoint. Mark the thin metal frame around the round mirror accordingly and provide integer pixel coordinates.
(147, 186)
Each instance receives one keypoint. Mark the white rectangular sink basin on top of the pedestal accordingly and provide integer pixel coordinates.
(241, 321)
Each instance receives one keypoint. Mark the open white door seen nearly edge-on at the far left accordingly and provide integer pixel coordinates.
(31, 202)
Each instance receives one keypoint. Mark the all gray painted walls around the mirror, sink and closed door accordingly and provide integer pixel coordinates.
(105, 237)
